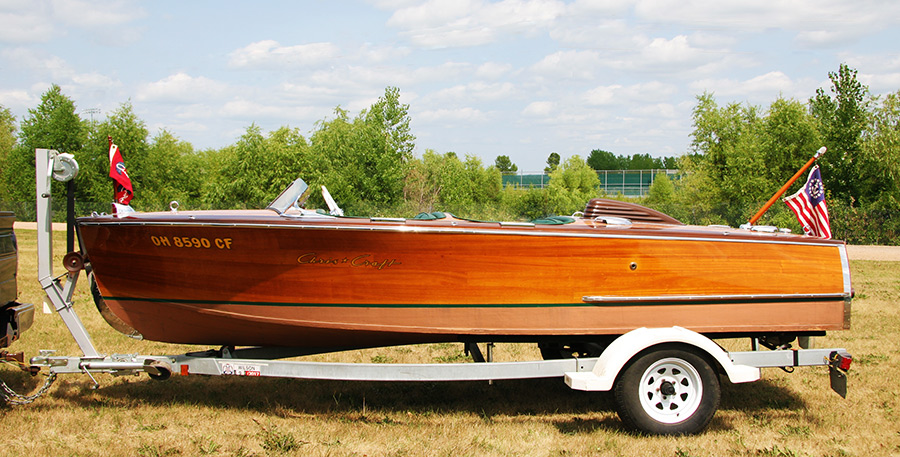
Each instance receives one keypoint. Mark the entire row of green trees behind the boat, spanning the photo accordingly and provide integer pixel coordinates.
(739, 155)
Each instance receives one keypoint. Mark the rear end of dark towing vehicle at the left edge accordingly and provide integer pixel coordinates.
(15, 317)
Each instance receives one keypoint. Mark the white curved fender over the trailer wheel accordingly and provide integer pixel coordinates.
(625, 347)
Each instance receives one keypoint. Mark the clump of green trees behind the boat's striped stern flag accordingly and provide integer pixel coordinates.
(741, 154)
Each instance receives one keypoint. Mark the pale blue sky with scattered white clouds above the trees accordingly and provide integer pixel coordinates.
(522, 78)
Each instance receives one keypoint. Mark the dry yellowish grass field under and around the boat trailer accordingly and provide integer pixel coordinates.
(781, 415)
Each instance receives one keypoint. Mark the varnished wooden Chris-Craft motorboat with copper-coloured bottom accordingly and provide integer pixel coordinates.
(286, 276)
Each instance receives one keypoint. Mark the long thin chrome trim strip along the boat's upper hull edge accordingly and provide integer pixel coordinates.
(456, 230)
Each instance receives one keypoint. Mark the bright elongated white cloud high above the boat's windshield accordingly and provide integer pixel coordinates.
(269, 54)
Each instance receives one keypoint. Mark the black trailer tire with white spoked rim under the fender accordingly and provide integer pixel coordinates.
(667, 391)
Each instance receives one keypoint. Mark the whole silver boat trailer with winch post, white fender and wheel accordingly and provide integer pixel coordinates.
(665, 380)
